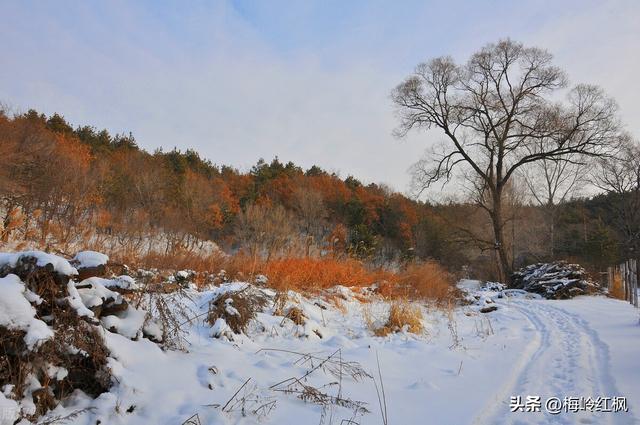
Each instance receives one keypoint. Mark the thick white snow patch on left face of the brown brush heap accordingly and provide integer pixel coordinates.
(16, 313)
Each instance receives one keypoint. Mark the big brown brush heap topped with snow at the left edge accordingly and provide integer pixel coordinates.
(50, 344)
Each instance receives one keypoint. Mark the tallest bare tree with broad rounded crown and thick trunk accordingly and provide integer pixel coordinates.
(498, 113)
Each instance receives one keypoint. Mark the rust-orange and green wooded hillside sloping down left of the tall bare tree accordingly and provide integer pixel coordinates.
(63, 184)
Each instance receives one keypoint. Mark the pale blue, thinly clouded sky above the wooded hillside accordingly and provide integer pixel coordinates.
(307, 81)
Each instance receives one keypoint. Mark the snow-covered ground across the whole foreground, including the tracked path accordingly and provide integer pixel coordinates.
(464, 369)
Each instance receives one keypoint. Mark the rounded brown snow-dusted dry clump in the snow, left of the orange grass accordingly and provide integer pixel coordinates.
(236, 308)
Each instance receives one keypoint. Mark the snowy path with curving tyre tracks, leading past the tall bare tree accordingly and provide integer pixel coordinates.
(565, 357)
